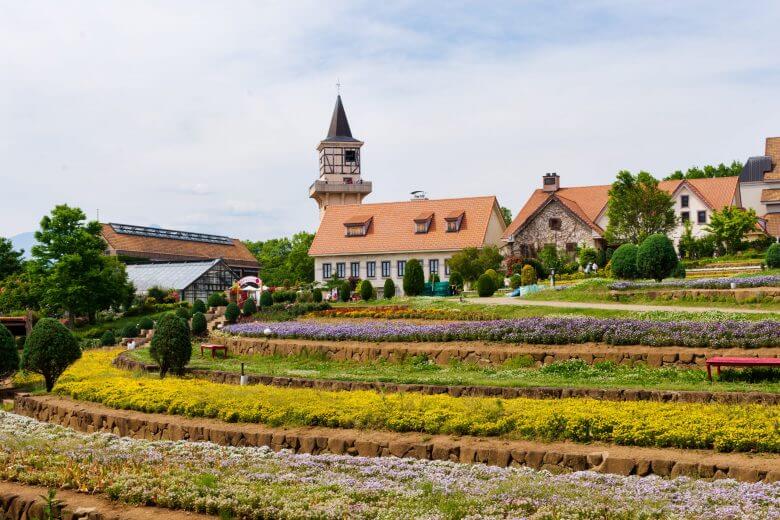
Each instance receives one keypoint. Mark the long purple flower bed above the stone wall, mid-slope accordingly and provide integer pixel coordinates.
(551, 331)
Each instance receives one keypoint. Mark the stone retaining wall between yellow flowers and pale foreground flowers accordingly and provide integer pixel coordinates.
(556, 457)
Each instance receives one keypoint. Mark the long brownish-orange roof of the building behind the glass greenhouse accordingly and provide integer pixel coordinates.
(169, 249)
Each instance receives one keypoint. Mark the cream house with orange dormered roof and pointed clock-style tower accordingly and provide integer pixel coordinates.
(375, 241)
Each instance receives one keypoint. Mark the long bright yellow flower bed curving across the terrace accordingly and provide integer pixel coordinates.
(719, 426)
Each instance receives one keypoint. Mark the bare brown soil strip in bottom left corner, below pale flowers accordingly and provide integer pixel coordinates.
(106, 508)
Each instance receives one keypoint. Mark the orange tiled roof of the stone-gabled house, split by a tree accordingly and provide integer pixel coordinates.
(588, 202)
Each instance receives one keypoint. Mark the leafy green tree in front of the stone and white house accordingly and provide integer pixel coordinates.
(638, 208)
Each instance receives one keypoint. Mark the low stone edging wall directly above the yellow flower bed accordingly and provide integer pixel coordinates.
(124, 361)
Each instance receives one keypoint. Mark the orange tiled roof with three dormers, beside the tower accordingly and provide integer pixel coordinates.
(392, 228)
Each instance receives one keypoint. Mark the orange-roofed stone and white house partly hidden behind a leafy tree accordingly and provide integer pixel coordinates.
(572, 217)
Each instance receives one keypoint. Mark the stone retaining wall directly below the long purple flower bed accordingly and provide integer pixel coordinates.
(483, 353)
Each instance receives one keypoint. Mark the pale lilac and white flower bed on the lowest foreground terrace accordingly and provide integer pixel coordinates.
(258, 483)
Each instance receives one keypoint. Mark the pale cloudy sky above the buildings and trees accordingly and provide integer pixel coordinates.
(205, 116)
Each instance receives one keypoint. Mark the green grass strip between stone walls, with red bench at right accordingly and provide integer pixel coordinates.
(518, 372)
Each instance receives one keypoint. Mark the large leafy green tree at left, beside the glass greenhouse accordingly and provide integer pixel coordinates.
(69, 263)
